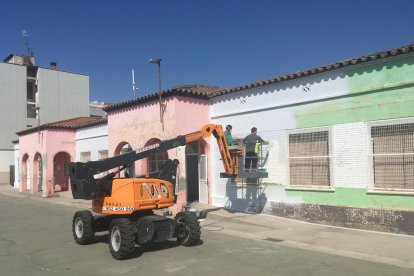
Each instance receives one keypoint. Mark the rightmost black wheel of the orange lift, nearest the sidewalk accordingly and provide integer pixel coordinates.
(187, 228)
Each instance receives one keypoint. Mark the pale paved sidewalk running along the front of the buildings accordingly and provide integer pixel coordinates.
(378, 247)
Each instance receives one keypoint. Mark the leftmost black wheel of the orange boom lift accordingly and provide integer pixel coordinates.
(82, 227)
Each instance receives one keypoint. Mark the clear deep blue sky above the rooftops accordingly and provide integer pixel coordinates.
(223, 43)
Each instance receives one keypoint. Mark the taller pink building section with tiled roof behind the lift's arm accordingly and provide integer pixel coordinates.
(138, 123)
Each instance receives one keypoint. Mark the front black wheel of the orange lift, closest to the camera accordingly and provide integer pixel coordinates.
(121, 238)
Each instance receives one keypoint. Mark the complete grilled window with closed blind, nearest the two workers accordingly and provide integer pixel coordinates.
(309, 159)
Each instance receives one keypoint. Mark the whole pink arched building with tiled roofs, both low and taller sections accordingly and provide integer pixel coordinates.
(45, 151)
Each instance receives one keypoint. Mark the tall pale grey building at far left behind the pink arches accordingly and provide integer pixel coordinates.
(31, 95)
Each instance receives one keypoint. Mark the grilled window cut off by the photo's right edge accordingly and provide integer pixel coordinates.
(393, 156)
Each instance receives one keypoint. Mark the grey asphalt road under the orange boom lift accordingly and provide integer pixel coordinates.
(36, 239)
